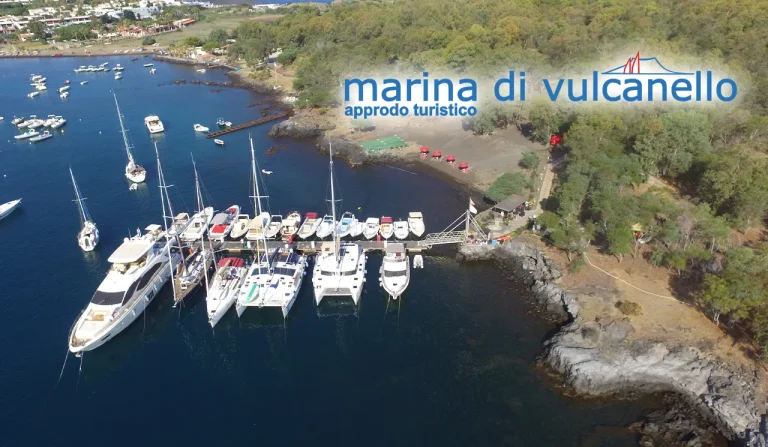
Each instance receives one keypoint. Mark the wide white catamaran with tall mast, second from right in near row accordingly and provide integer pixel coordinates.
(339, 268)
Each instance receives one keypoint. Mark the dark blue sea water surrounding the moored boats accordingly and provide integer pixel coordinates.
(454, 365)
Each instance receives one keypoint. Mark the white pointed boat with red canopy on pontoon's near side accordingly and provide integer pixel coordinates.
(222, 293)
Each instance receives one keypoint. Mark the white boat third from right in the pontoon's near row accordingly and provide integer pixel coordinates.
(285, 282)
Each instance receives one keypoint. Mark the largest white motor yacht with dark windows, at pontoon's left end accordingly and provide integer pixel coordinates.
(140, 268)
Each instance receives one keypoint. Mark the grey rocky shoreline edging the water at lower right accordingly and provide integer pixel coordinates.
(596, 358)
